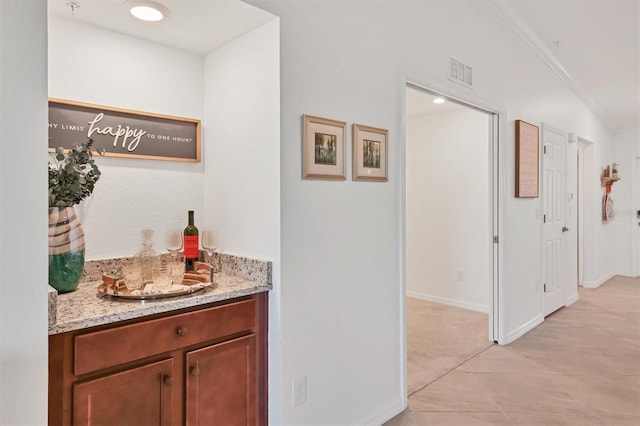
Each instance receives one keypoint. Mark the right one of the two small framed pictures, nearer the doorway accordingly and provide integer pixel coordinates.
(370, 153)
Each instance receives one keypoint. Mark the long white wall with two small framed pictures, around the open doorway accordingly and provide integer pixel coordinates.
(342, 281)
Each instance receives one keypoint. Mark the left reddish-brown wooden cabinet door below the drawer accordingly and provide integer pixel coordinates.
(141, 396)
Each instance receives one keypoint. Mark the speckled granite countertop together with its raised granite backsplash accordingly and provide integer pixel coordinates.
(85, 307)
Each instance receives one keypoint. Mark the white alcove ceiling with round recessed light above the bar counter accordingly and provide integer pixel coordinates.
(198, 26)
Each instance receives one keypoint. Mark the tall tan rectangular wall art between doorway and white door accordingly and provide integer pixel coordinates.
(527, 160)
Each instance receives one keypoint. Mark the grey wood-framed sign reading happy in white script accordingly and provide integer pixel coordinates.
(122, 132)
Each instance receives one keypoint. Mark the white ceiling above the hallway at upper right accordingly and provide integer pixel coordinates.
(593, 45)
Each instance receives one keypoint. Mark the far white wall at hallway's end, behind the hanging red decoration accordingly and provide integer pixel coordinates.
(626, 148)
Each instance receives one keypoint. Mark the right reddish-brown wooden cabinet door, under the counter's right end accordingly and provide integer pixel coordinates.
(222, 384)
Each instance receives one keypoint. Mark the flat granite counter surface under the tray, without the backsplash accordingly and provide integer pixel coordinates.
(85, 307)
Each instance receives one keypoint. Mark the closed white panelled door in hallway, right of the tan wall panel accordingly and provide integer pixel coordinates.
(553, 228)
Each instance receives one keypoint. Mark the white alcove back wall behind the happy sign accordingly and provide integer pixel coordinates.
(94, 65)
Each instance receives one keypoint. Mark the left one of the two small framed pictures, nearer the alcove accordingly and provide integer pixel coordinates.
(323, 148)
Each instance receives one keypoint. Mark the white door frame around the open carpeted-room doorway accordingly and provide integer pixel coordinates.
(497, 120)
